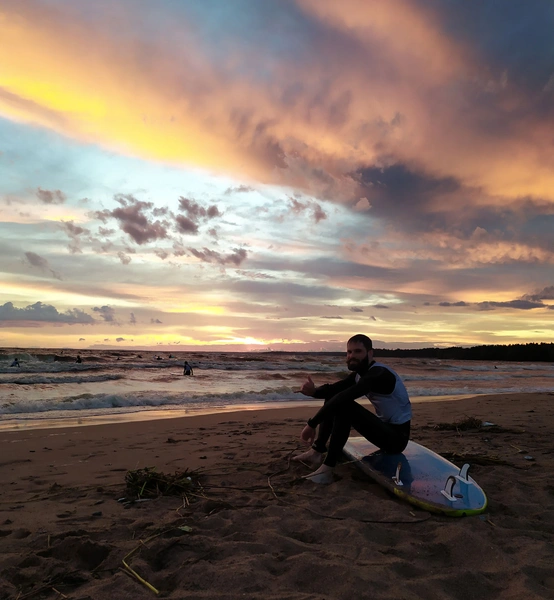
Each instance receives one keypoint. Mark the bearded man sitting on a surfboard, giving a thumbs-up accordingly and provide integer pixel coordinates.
(389, 429)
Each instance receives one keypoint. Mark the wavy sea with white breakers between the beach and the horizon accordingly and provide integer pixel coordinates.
(51, 389)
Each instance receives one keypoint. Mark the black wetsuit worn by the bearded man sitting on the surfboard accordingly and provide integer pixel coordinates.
(340, 413)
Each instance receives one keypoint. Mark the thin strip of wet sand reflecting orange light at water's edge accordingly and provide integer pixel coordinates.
(20, 423)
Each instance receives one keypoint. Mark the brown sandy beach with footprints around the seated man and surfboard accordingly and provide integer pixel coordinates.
(250, 527)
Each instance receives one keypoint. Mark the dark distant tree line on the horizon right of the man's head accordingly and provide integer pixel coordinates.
(520, 352)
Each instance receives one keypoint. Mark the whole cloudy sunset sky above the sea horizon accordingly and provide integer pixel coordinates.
(238, 174)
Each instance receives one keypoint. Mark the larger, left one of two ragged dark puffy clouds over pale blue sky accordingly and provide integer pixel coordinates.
(133, 219)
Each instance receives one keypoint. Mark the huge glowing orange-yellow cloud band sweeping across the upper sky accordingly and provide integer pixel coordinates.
(383, 83)
